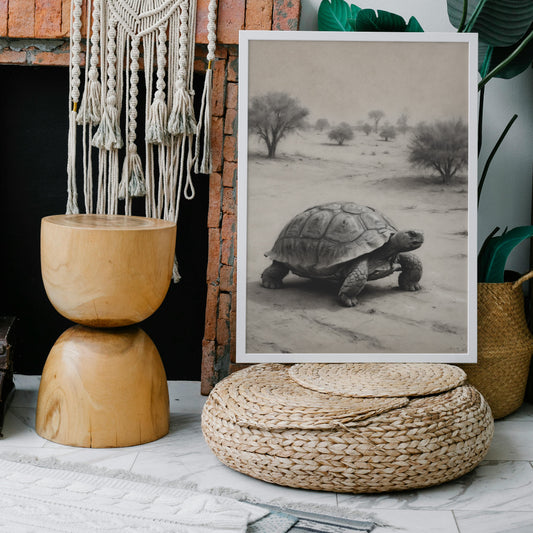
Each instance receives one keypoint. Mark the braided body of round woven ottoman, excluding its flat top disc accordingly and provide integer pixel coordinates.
(428, 441)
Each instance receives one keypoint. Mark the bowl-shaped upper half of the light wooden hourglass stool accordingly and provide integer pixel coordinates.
(106, 270)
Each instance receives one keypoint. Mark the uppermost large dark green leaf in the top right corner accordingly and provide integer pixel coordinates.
(499, 23)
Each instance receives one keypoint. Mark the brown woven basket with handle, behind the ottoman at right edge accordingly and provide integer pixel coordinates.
(505, 346)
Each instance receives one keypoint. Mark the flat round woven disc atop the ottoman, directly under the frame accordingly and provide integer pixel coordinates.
(378, 379)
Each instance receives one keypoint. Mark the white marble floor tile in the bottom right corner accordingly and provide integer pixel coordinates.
(494, 522)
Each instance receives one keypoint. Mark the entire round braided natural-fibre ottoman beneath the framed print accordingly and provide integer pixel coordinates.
(334, 428)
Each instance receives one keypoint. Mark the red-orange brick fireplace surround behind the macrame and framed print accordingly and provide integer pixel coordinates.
(35, 32)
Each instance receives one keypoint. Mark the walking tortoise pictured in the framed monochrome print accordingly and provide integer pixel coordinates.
(346, 243)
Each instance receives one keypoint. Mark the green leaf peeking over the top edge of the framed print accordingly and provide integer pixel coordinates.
(338, 15)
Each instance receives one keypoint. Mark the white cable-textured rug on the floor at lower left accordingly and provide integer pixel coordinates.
(40, 498)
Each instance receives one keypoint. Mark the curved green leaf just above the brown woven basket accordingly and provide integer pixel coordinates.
(496, 250)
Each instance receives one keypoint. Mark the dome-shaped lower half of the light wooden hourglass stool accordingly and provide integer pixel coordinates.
(103, 388)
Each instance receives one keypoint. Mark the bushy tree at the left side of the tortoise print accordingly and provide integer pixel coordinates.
(273, 115)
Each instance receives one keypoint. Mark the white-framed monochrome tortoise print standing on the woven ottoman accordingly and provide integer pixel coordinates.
(357, 188)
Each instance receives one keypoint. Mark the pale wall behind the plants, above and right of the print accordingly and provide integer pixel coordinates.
(507, 194)
